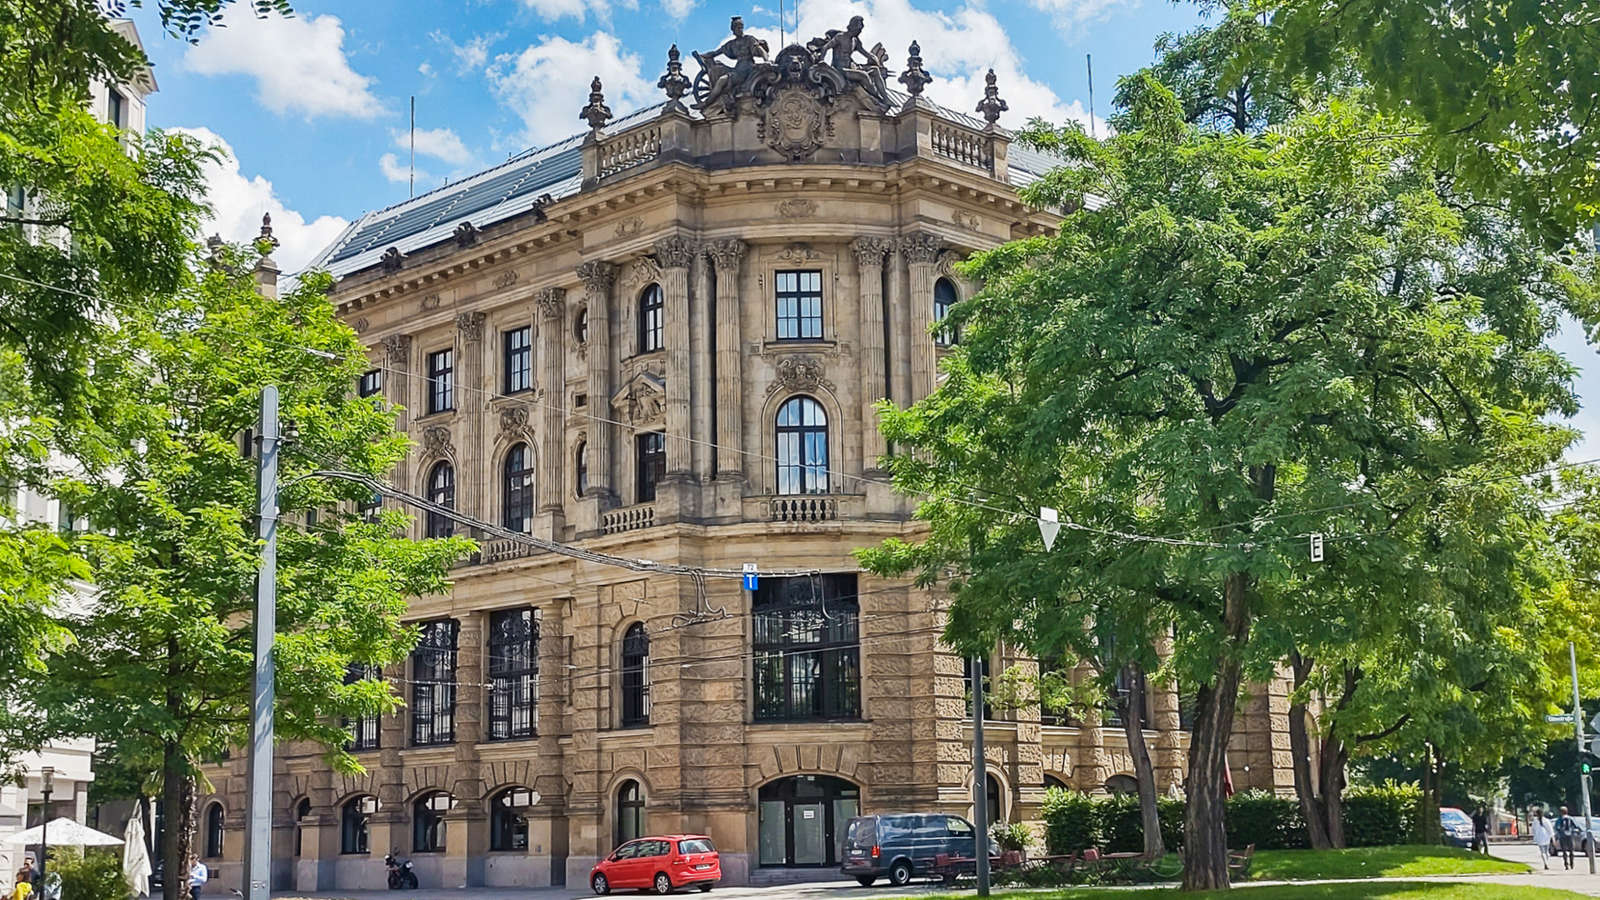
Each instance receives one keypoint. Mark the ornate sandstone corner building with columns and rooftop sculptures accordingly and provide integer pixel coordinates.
(663, 340)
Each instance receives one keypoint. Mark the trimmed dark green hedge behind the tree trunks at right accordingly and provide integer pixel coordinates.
(1374, 816)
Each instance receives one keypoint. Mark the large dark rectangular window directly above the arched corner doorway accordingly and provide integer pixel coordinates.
(807, 648)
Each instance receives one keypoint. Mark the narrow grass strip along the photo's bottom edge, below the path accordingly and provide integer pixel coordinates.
(1348, 891)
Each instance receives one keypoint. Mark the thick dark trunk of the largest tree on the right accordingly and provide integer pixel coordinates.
(1206, 832)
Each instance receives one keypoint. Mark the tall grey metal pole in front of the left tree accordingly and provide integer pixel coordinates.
(258, 808)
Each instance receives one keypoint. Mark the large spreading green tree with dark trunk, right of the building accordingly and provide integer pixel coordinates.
(1254, 339)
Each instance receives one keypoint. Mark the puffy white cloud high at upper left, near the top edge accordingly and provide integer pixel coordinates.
(298, 63)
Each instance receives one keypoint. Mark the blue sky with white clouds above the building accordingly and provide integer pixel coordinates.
(314, 110)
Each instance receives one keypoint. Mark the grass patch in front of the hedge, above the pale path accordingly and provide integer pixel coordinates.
(1377, 862)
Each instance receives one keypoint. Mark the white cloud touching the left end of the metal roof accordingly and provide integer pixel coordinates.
(238, 204)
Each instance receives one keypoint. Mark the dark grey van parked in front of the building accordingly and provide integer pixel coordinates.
(903, 845)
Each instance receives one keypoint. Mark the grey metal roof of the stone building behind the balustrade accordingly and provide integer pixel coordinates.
(514, 188)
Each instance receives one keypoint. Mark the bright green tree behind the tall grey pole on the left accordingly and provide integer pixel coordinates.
(162, 662)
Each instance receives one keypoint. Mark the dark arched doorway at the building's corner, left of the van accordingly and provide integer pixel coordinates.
(802, 821)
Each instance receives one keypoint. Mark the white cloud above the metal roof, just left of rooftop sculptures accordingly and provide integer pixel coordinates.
(548, 84)
